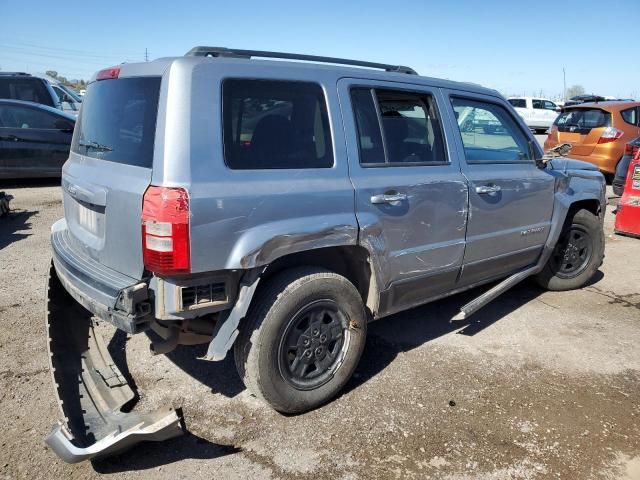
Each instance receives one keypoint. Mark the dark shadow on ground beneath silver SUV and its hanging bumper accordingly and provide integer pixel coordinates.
(385, 340)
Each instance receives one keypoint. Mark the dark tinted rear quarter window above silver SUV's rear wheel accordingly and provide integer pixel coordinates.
(275, 124)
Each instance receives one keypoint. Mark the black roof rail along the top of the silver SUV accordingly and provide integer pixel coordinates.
(234, 53)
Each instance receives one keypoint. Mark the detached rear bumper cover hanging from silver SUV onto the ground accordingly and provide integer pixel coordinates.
(91, 390)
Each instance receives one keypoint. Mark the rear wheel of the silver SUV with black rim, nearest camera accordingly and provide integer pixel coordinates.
(302, 339)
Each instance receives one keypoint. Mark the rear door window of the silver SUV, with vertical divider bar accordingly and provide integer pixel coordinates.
(397, 128)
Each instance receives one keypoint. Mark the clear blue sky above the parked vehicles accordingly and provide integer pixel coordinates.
(514, 46)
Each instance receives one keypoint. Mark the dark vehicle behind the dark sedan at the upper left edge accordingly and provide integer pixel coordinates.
(29, 88)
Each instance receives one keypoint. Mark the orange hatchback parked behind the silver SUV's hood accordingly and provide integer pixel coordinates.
(598, 132)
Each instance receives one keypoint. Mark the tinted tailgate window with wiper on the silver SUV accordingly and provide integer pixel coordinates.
(117, 122)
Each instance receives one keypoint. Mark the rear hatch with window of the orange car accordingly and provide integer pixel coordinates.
(581, 127)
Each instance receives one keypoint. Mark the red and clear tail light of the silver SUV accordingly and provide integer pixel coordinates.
(165, 230)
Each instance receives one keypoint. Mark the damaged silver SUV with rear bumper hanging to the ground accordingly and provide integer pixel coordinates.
(274, 208)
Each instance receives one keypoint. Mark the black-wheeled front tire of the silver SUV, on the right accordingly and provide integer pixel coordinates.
(577, 255)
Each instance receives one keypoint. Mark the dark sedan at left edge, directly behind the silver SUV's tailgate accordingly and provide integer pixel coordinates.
(34, 139)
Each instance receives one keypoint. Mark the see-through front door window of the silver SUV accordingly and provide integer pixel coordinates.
(489, 133)
